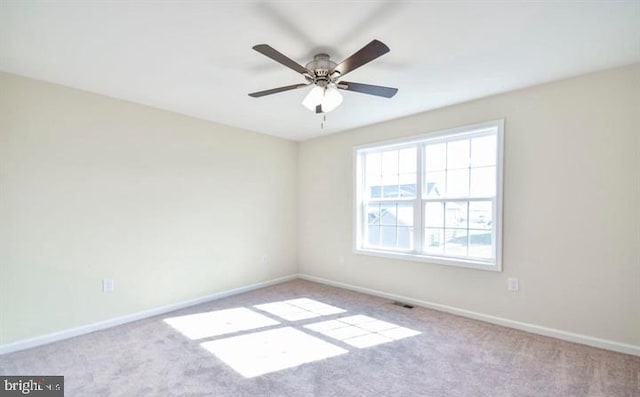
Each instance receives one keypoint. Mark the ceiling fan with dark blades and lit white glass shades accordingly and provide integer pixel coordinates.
(325, 76)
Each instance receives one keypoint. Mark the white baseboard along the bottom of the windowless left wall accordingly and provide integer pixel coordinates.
(85, 329)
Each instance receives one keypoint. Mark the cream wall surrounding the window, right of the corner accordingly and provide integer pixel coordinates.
(571, 209)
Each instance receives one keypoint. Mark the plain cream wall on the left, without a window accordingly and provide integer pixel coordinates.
(170, 207)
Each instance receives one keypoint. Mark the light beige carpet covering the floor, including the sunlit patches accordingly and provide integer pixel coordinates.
(302, 347)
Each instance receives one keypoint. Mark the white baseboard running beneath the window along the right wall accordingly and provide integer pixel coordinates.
(535, 329)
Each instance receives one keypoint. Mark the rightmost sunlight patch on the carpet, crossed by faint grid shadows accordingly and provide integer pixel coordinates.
(361, 331)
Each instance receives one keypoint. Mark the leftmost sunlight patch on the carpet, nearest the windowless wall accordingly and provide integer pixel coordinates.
(220, 322)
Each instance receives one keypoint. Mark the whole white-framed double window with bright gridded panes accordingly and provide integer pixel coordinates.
(435, 198)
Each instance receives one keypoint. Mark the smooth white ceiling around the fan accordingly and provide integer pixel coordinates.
(195, 57)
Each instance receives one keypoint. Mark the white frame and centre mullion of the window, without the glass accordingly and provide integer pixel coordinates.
(489, 127)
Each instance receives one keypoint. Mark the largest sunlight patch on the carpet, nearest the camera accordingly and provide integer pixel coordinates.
(263, 352)
